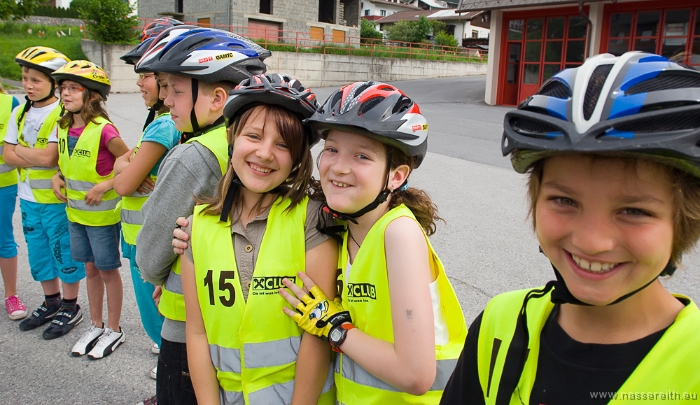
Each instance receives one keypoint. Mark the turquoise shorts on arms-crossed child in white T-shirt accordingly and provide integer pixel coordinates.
(46, 231)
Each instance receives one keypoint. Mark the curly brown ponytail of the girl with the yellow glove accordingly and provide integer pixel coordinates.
(418, 201)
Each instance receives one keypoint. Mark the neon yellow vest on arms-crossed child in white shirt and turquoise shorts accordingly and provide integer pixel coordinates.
(40, 177)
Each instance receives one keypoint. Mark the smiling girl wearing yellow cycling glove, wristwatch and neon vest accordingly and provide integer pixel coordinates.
(397, 324)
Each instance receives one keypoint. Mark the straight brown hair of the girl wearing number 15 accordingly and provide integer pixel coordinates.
(295, 135)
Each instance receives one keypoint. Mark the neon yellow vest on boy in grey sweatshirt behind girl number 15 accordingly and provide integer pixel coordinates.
(172, 303)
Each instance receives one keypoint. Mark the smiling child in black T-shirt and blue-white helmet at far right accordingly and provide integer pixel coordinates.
(612, 149)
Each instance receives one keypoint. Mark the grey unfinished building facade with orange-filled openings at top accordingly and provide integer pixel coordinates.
(264, 18)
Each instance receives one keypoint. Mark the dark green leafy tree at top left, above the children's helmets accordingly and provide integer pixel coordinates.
(109, 21)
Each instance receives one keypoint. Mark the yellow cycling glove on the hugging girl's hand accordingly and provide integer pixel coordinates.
(317, 315)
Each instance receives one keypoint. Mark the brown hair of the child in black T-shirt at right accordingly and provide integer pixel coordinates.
(686, 201)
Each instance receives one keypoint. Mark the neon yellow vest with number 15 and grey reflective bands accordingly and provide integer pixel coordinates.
(253, 344)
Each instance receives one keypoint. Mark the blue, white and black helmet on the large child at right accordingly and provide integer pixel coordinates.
(635, 104)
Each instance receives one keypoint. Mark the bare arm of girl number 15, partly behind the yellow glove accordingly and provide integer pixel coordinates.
(314, 356)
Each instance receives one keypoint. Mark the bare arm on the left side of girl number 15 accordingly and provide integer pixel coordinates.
(204, 381)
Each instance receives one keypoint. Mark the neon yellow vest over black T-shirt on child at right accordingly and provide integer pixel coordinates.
(670, 366)
